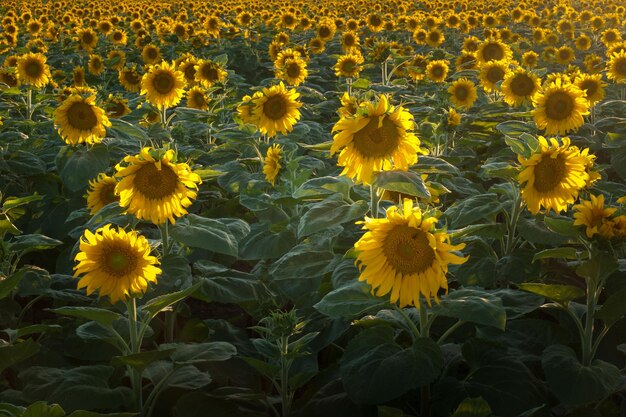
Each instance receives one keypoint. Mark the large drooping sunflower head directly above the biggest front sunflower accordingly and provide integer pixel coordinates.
(378, 138)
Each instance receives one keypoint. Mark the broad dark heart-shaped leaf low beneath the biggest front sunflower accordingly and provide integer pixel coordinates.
(374, 369)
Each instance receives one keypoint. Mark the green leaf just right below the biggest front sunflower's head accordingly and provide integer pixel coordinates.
(473, 305)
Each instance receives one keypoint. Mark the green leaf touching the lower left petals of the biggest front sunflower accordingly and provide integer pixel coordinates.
(352, 300)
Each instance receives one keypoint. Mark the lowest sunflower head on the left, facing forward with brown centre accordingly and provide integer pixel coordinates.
(116, 263)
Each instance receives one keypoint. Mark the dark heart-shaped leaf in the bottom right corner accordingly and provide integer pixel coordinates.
(575, 384)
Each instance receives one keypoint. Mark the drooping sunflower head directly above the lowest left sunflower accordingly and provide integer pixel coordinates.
(154, 188)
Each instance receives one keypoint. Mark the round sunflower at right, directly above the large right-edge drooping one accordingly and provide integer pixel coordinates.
(559, 108)
